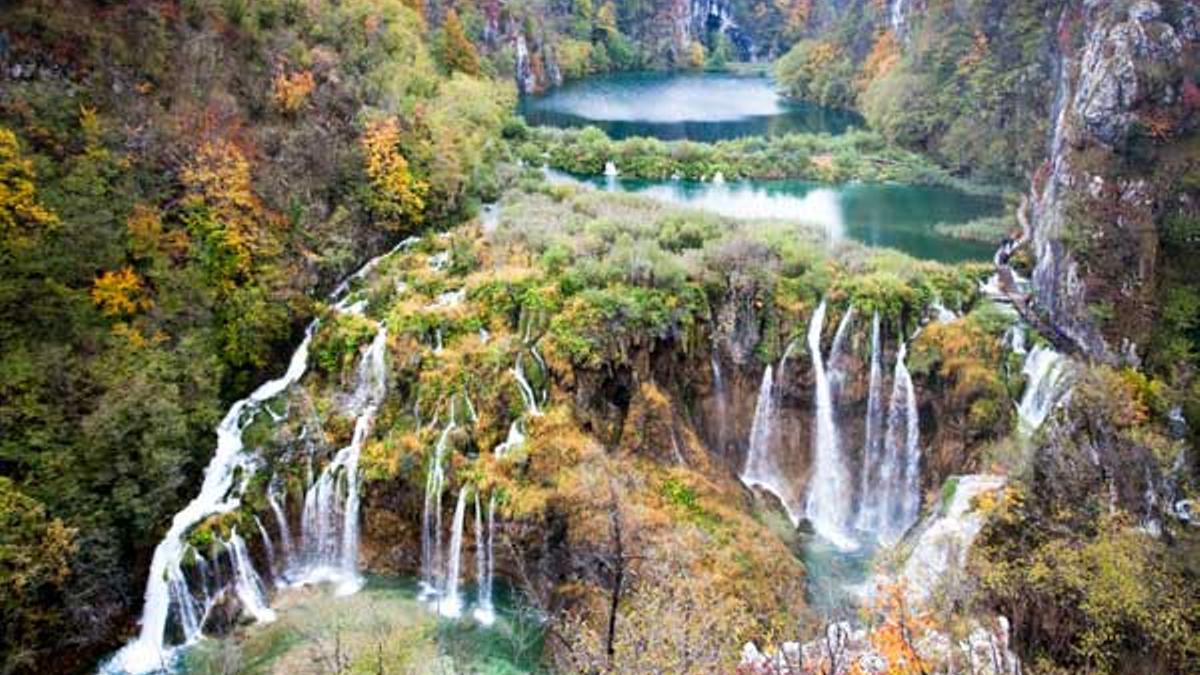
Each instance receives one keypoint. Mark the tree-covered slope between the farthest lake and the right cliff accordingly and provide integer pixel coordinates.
(967, 82)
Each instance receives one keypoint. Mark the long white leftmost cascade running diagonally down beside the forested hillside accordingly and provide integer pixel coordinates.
(219, 494)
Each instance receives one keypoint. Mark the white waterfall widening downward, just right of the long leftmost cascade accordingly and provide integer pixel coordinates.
(331, 524)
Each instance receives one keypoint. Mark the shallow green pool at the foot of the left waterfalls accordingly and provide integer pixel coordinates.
(386, 623)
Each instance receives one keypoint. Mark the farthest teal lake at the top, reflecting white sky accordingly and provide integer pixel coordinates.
(682, 106)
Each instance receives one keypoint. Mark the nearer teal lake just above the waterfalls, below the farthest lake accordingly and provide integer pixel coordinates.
(897, 217)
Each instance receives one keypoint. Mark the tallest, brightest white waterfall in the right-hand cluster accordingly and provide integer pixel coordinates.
(830, 495)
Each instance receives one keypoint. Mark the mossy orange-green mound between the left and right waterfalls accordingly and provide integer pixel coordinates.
(610, 294)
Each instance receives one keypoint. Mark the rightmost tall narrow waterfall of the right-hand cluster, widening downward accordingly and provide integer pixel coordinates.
(901, 474)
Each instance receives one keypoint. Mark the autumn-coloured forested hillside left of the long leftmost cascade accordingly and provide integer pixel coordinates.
(176, 186)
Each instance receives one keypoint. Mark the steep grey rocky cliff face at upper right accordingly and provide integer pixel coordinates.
(1096, 202)
